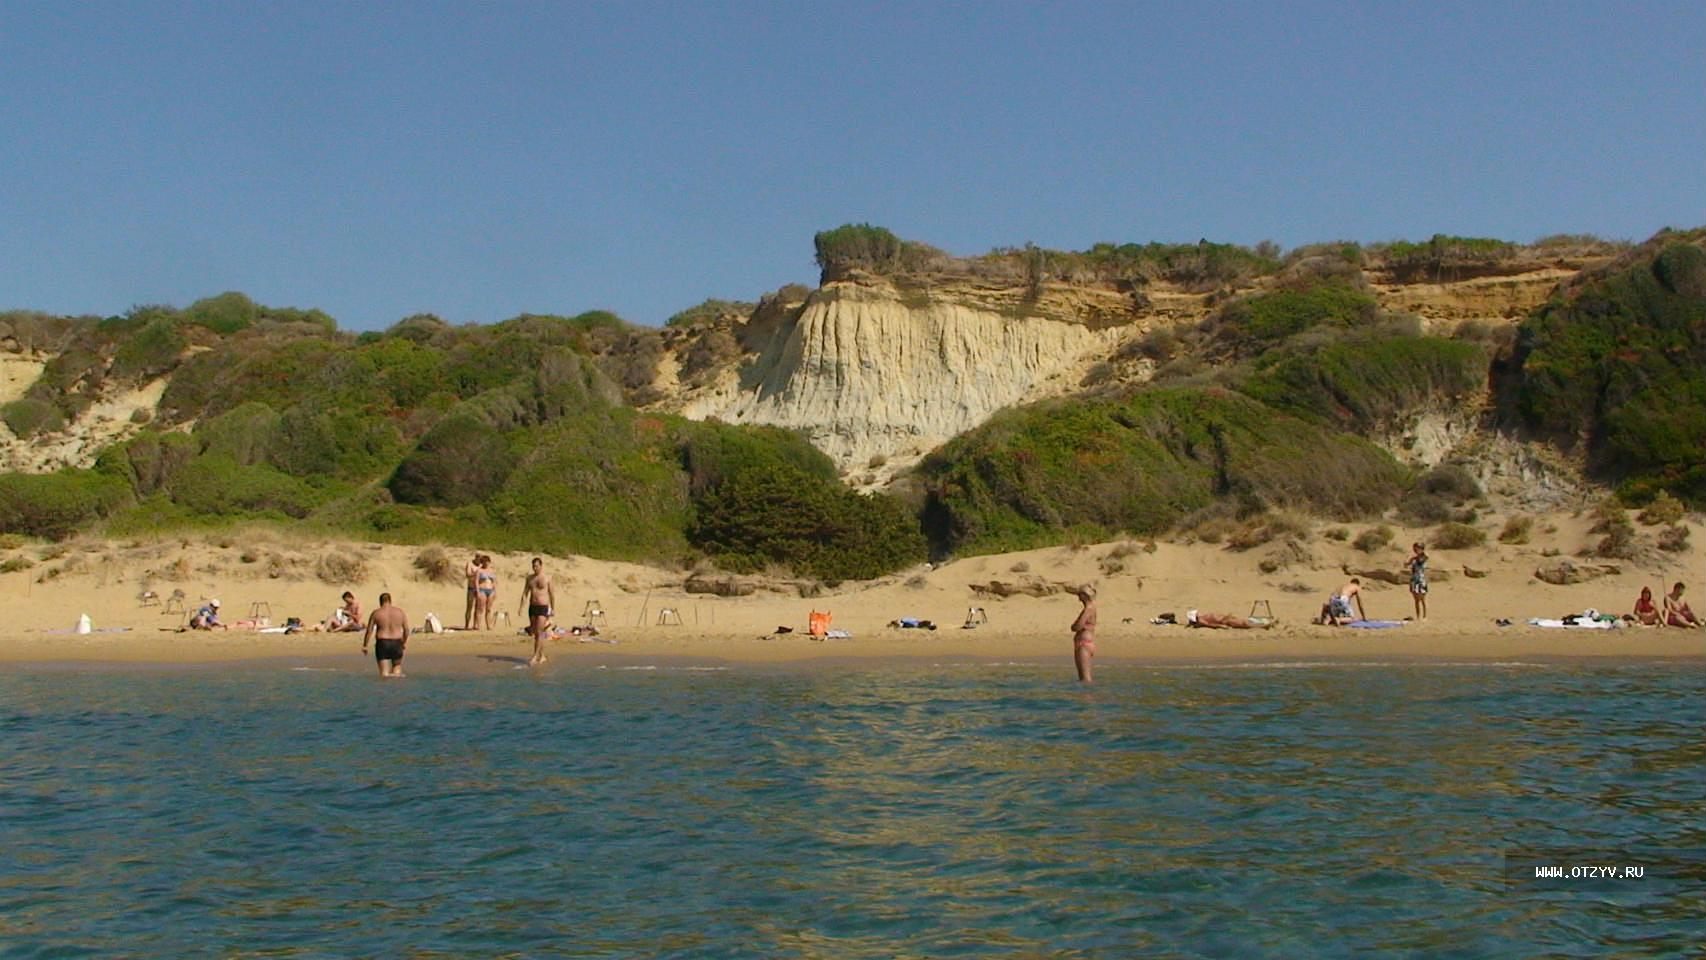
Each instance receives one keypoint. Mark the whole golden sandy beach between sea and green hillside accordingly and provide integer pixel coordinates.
(649, 616)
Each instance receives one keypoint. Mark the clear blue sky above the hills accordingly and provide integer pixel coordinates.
(487, 159)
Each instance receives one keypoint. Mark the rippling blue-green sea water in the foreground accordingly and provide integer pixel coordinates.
(903, 811)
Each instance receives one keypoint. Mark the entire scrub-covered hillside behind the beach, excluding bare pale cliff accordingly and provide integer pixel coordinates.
(535, 434)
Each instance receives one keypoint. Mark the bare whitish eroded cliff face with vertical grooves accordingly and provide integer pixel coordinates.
(878, 378)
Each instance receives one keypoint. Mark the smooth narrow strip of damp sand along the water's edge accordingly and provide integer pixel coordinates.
(1161, 647)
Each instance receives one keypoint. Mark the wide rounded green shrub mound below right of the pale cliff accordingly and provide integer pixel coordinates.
(1140, 463)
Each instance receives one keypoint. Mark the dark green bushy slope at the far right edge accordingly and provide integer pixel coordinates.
(1620, 364)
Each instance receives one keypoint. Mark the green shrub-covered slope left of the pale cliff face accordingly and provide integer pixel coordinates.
(513, 436)
